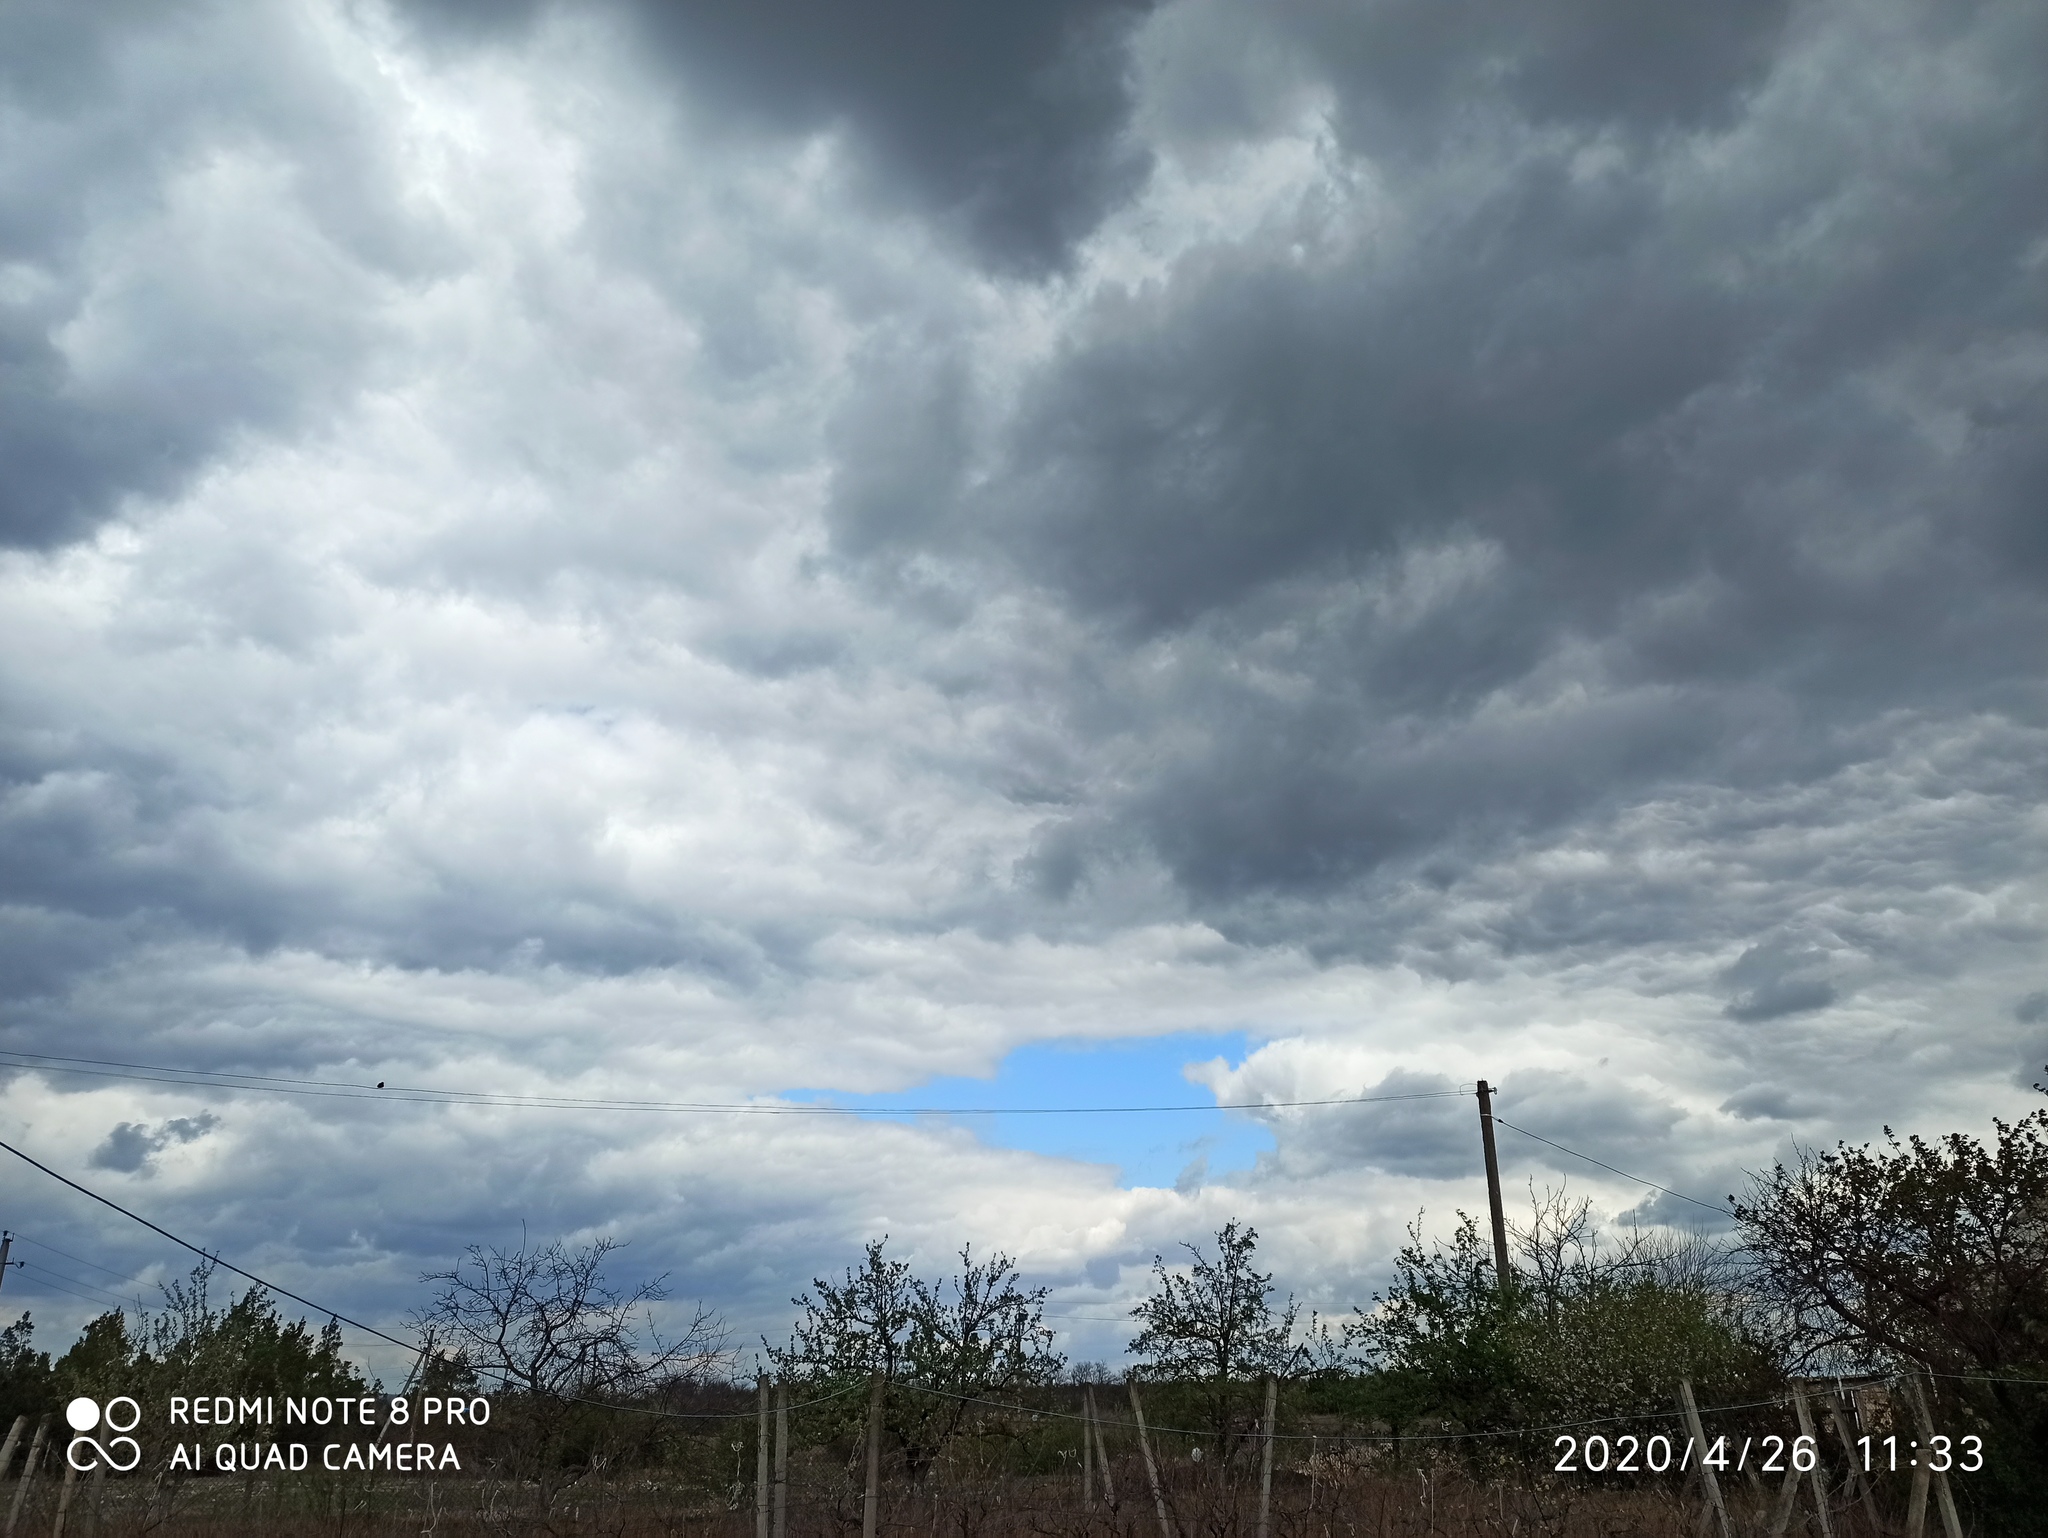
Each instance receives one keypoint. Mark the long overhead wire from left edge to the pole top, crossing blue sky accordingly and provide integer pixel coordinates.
(439, 1097)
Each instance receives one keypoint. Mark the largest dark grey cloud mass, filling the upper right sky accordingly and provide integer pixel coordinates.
(1727, 499)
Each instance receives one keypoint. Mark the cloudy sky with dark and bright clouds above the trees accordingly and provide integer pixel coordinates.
(937, 560)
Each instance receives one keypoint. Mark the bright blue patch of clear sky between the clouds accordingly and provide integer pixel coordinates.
(1152, 1148)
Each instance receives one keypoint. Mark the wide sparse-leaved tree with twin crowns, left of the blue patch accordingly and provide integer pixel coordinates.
(974, 1336)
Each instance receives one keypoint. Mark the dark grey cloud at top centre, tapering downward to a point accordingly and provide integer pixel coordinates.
(1005, 122)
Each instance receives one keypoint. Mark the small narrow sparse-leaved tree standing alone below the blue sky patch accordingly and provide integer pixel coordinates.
(1213, 1328)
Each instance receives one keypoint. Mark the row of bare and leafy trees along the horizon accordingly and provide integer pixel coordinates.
(1902, 1256)
